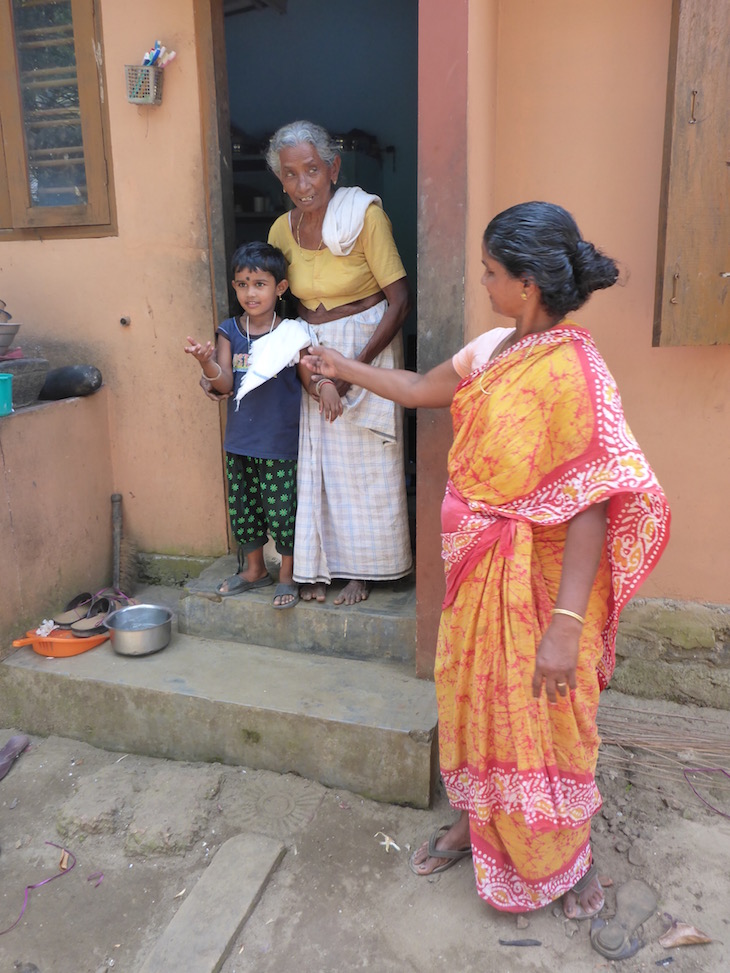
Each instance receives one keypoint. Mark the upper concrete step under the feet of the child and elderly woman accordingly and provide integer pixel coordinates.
(381, 629)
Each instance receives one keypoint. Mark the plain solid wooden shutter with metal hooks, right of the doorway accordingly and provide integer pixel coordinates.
(693, 267)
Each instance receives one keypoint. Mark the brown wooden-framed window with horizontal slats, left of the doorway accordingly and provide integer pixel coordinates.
(52, 126)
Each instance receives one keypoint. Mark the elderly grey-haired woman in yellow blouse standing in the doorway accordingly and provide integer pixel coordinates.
(351, 287)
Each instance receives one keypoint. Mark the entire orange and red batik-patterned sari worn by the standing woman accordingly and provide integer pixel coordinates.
(539, 435)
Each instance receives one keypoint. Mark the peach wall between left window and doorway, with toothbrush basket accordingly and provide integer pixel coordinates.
(70, 295)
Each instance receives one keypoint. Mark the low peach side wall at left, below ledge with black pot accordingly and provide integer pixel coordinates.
(55, 508)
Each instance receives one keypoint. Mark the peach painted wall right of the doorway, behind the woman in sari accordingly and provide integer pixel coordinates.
(580, 99)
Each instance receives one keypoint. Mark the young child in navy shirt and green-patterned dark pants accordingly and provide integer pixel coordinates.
(262, 429)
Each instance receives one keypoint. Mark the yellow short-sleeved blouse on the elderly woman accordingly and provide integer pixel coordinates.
(319, 277)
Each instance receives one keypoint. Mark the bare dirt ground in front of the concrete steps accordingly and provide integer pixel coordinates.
(141, 832)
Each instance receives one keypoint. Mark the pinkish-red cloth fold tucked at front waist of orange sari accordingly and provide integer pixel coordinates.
(467, 533)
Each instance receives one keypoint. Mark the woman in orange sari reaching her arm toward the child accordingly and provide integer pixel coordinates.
(552, 518)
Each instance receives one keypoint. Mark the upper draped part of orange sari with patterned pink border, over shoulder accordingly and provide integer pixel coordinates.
(540, 435)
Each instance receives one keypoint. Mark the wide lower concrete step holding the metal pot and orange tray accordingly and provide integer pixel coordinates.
(366, 726)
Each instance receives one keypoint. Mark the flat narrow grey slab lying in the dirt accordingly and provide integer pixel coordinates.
(201, 933)
